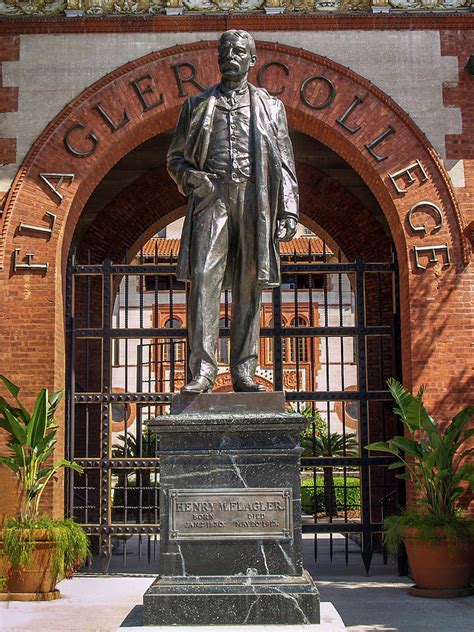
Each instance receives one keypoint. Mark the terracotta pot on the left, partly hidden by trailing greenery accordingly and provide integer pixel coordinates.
(38, 580)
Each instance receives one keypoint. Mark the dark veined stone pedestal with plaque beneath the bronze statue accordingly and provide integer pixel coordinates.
(230, 550)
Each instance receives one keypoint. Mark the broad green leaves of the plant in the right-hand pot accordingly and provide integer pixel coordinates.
(435, 461)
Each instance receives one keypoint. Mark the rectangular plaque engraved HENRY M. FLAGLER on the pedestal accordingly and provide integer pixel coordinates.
(231, 514)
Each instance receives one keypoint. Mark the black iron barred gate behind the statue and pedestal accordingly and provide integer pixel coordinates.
(329, 339)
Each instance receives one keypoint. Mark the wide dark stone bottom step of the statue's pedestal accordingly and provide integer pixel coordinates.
(237, 600)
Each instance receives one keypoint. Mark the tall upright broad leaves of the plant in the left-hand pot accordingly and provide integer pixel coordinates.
(31, 443)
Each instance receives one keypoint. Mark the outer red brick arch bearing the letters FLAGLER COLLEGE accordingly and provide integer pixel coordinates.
(142, 99)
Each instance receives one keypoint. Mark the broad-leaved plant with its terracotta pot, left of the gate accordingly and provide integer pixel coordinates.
(38, 549)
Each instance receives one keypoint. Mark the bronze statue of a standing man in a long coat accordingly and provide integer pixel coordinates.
(232, 156)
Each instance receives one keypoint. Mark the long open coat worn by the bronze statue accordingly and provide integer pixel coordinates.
(274, 173)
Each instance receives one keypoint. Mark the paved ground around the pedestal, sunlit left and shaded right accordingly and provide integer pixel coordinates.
(367, 603)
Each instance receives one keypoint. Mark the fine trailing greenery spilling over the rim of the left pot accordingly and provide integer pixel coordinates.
(71, 545)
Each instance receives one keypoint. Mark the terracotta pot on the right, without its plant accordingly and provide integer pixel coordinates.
(440, 568)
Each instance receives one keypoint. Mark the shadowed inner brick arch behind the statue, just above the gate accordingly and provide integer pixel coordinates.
(152, 201)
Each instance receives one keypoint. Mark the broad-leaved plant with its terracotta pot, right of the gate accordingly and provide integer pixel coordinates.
(437, 536)
